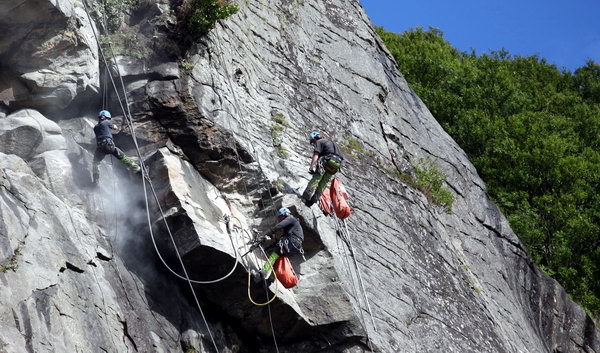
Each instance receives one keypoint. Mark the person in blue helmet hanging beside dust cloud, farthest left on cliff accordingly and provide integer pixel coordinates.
(105, 145)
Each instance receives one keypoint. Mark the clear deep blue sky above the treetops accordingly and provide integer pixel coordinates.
(565, 32)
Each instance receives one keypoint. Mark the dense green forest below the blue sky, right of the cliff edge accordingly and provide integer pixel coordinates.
(533, 133)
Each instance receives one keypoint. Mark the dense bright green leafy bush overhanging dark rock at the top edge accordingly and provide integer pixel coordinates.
(202, 15)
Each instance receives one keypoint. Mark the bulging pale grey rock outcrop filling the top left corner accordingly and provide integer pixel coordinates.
(48, 53)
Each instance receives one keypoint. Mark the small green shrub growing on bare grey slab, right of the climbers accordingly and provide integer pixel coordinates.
(430, 181)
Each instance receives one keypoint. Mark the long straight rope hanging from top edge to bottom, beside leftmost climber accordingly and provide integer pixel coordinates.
(144, 173)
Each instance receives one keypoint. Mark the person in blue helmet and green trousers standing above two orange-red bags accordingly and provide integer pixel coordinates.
(326, 161)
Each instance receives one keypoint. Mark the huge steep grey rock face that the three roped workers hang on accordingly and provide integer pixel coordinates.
(223, 135)
